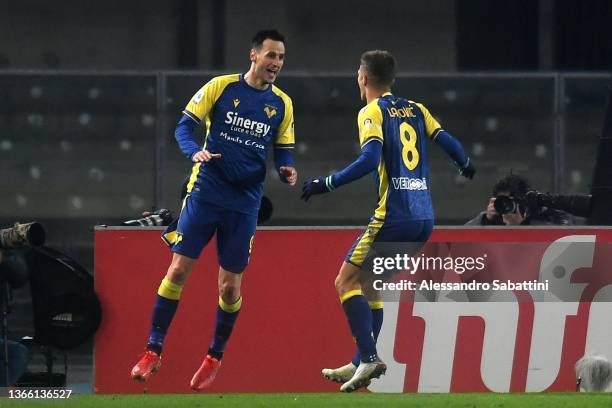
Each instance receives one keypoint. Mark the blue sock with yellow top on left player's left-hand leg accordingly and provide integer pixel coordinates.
(168, 296)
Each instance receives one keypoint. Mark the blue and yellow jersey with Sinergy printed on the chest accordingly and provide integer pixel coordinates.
(242, 123)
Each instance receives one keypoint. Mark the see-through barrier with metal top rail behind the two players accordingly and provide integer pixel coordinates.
(100, 144)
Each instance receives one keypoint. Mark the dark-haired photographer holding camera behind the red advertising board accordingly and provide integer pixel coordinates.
(515, 203)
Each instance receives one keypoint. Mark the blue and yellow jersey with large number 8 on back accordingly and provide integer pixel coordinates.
(402, 176)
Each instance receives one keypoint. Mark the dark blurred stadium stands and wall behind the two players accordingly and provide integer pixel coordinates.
(90, 93)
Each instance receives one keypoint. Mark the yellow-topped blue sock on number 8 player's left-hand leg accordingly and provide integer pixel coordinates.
(359, 317)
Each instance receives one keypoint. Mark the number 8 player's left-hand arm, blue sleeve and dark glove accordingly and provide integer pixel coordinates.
(365, 164)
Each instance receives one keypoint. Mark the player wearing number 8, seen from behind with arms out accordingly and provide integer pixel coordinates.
(393, 134)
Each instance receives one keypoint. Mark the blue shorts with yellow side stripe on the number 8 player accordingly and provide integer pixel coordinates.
(379, 231)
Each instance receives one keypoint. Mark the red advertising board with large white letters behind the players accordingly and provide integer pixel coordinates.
(291, 323)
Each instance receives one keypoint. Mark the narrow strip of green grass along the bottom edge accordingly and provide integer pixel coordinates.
(360, 399)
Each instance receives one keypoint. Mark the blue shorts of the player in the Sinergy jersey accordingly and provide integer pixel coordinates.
(198, 222)
